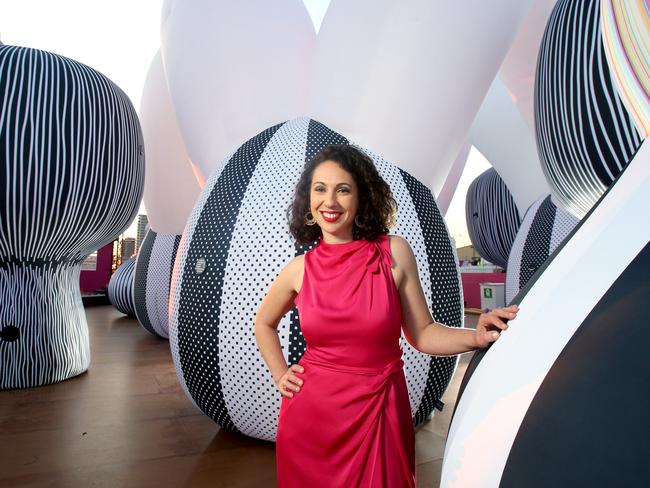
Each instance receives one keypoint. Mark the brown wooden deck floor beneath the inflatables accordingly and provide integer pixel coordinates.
(127, 423)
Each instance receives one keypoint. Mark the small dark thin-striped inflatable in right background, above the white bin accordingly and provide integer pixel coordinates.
(492, 217)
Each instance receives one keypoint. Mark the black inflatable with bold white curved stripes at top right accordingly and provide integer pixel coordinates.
(585, 136)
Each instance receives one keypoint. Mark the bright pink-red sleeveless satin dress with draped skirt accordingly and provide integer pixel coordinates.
(350, 424)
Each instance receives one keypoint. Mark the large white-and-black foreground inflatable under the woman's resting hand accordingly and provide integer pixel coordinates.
(579, 342)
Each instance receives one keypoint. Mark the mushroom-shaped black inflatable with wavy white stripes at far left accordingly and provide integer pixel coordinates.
(71, 180)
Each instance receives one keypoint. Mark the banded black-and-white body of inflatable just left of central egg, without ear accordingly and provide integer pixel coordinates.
(153, 273)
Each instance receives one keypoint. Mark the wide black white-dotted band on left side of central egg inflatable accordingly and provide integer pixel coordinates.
(200, 301)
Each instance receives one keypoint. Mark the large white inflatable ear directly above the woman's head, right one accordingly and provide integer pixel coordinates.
(406, 78)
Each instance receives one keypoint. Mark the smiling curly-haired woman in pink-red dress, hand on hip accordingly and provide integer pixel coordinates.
(345, 419)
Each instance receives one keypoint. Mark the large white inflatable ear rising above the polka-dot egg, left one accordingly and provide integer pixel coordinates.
(233, 69)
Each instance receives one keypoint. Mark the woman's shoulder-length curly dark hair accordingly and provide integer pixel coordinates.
(377, 207)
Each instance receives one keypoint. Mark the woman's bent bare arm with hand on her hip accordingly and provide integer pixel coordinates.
(277, 302)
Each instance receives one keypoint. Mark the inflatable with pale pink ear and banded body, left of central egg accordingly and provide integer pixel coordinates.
(172, 184)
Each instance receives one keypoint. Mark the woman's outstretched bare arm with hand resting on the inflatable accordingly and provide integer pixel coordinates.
(421, 331)
